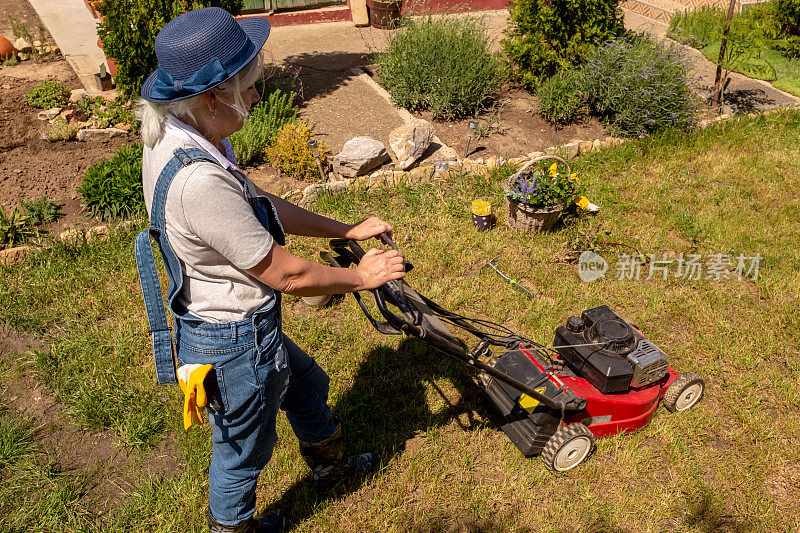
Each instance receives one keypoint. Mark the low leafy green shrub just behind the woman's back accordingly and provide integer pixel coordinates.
(113, 188)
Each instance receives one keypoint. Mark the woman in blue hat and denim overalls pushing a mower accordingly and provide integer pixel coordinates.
(222, 242)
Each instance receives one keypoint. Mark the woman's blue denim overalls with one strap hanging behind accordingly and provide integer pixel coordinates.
(252, 357)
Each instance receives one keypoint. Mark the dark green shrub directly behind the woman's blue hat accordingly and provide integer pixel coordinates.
(128, 33)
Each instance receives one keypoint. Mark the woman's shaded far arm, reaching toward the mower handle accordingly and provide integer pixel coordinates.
(298, 221)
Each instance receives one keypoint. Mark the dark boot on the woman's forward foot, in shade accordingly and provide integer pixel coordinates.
(327, 461)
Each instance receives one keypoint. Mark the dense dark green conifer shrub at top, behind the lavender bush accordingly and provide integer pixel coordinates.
(544, 36)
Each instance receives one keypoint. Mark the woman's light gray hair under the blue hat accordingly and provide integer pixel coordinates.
(153, 115)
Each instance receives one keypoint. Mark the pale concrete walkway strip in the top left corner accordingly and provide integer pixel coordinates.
(75, 32)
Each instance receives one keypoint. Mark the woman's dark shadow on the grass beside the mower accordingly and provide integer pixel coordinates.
(386, 407)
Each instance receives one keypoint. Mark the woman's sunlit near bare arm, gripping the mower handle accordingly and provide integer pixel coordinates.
(293, 275)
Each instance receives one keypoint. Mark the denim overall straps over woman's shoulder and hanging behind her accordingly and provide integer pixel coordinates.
(163, 347)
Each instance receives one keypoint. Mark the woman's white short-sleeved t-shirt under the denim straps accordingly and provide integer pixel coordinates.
(211, 227)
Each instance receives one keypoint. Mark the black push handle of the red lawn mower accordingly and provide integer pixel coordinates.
(409, 324)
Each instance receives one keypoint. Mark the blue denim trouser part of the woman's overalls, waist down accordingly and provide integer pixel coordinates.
(259, 369)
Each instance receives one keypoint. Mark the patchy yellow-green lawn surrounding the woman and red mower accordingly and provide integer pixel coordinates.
(730, 464)
